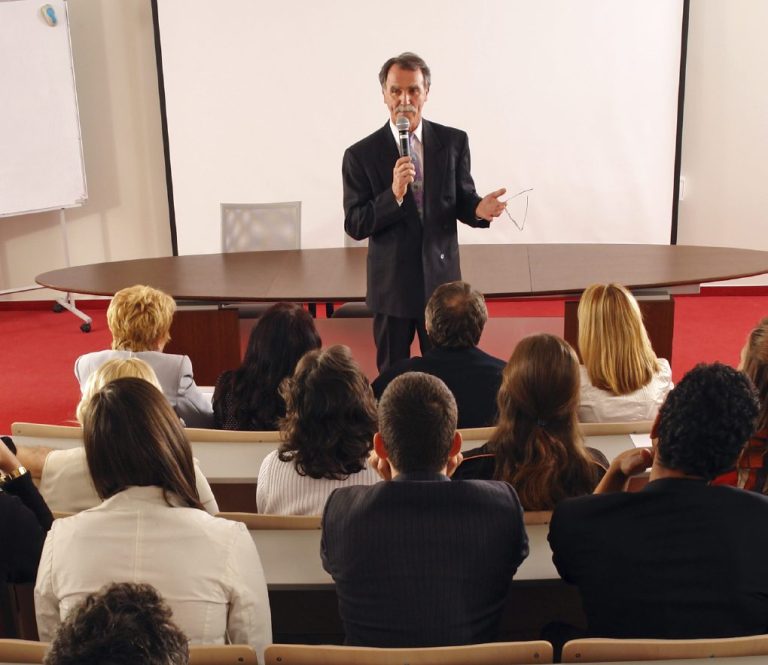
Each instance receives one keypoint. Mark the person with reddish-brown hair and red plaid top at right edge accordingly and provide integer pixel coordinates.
(751, 470)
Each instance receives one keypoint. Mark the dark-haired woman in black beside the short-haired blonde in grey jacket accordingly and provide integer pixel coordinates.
(247, 398)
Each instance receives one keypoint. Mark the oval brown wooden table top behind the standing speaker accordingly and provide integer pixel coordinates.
(338, 274)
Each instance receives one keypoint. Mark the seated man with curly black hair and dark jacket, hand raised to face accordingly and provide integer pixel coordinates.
(680, 559)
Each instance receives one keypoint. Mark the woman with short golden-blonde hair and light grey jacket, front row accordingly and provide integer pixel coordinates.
(139, 318)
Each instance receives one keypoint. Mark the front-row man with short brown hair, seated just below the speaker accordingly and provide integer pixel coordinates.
(455, 317)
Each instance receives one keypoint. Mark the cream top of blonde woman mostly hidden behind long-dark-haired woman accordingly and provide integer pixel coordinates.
(67, 487)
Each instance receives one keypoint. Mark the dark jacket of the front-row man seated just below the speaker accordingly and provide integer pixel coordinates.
(472, 375)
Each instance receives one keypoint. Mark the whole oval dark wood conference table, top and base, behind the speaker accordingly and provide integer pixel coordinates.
(212, 338)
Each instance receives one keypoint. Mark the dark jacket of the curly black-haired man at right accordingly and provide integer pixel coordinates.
(679, 559)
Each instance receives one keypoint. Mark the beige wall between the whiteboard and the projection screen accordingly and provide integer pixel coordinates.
(126, 215)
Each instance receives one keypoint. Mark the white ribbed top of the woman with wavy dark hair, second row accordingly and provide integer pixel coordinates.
(280, 490)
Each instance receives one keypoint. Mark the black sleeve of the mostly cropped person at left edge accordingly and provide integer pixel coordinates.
(25, 522)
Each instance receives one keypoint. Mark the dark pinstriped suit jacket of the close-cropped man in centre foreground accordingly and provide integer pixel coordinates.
(421, 560)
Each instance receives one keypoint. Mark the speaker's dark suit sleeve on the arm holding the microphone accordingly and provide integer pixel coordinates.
(366, 212)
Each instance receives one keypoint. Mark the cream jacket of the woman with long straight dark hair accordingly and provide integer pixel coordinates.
(206, 568)
